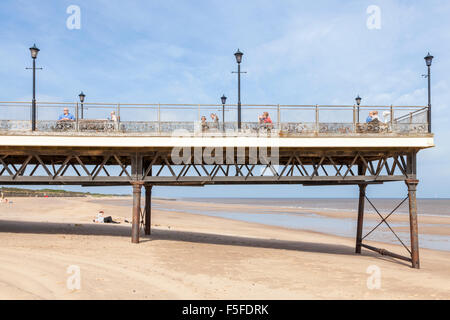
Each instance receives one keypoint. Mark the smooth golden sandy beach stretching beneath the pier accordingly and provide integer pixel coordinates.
(191, 256)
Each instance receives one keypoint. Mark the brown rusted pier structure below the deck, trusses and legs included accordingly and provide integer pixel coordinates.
(335, 162)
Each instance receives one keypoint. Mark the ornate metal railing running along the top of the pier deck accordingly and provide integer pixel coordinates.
(168, 119)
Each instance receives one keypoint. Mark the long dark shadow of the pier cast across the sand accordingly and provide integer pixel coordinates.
(9, 226)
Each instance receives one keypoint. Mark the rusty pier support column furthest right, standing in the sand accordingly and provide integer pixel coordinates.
(414, 231)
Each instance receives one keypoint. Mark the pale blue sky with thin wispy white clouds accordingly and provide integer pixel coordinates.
(295, 52)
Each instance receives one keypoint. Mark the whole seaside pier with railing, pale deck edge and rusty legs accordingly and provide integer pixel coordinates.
(150, 145)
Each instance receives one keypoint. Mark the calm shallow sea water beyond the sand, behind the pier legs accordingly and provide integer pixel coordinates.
(303, 219)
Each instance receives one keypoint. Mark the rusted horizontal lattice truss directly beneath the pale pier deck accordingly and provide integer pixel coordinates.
(155, 167)
